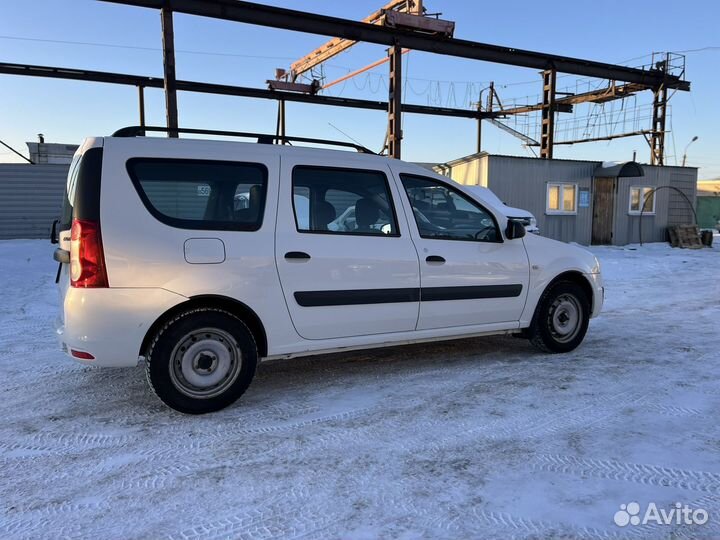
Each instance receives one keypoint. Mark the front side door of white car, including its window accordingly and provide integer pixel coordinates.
(469, 273)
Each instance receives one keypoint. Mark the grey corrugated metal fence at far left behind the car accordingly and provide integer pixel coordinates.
(30, 199)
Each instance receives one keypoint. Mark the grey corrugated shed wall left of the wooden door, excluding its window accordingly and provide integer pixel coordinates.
(522, 183)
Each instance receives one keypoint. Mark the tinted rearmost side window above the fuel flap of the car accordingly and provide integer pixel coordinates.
(199, 194)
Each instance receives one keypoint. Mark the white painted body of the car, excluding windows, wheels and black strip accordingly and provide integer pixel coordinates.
(153, 267)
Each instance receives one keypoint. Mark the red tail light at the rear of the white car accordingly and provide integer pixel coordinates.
(87, 260)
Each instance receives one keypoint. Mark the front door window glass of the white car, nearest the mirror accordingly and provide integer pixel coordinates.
(442, 212)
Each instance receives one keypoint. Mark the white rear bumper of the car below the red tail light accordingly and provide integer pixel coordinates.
(110, 324)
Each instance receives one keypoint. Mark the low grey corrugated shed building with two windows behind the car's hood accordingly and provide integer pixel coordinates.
(588, 202)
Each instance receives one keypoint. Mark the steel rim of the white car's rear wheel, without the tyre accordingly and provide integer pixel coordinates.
(205, 363)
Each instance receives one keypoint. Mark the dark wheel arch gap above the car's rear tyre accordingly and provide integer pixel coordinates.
(237, 308)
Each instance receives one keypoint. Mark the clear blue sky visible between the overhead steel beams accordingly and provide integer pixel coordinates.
(127, 40)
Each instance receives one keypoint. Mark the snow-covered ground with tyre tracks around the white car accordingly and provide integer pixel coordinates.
(474, 438)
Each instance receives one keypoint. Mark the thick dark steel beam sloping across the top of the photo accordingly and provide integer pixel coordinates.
(300, 21)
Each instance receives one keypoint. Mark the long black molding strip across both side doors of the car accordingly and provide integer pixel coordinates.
(356, 297)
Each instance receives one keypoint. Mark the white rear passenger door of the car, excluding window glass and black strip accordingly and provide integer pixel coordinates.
(344, 262)
